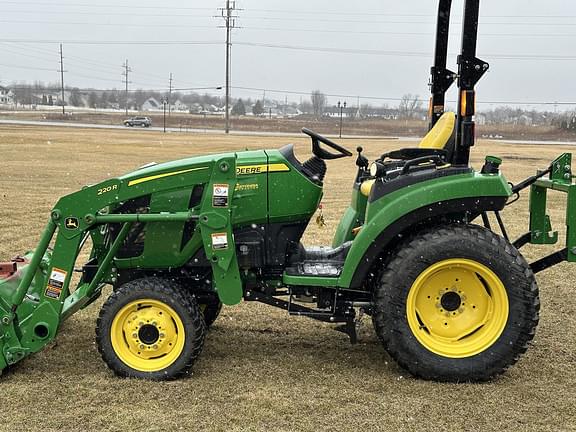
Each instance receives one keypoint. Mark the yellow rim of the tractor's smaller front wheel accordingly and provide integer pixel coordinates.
(147, 335)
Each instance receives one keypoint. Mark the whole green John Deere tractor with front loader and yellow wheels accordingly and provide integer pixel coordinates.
(450, 300)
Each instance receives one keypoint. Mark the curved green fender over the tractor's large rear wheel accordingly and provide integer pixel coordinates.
(461, 197)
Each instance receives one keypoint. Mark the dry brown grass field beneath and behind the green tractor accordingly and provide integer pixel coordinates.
(261, 369)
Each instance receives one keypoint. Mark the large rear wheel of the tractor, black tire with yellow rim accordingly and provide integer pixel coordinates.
(457, 303)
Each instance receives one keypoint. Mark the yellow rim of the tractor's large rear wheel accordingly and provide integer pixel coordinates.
(457, 308)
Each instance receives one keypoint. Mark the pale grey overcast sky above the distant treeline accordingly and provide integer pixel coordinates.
(371, 48)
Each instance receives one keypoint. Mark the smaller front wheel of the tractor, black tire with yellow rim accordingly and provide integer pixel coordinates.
(150, 328)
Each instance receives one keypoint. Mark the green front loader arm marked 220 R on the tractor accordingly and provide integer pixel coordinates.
(32, 312)
